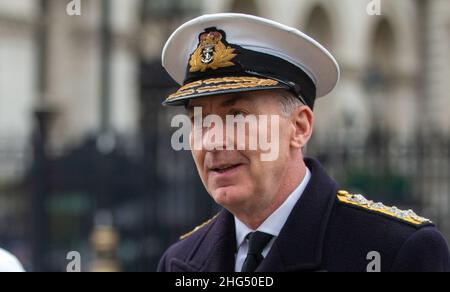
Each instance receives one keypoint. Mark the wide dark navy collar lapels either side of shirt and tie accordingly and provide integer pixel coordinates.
(299, 245)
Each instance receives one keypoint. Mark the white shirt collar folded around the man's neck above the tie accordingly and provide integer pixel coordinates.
(276, 221)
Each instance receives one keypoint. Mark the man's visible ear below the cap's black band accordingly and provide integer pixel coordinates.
(302, 120)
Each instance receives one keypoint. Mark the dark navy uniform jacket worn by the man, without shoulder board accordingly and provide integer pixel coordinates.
(323, 233)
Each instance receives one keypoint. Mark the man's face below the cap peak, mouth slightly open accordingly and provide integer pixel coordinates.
(239, 178)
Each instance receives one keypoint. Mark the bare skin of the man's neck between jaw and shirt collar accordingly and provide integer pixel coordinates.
(253, 217)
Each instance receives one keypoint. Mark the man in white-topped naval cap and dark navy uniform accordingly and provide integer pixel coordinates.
(284, 214)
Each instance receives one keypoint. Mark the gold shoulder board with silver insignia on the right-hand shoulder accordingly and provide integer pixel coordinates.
(360, 201)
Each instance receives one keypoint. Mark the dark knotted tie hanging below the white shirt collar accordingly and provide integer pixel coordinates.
(257, 241)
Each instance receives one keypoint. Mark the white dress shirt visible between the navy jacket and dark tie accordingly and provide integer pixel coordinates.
(272, 225)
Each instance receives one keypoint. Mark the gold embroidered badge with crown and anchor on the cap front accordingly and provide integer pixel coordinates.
(211, 53)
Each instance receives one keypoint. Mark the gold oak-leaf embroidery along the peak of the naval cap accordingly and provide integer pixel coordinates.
(218, 84)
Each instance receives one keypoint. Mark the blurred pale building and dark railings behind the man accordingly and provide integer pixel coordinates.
(85, 158)
